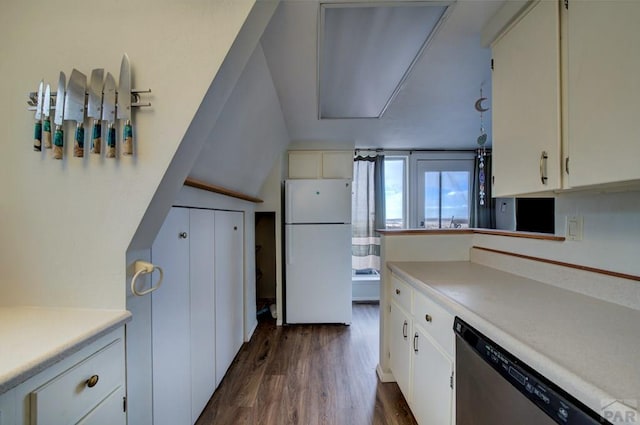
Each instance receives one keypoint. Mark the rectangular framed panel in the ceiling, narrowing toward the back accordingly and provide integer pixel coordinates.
(366, 51)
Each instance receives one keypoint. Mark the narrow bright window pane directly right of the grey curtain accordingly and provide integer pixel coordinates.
(395, 192)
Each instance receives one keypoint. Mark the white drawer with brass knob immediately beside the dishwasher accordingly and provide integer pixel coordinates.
(435, 320)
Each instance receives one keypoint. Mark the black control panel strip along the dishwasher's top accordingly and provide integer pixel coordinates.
(555, 402)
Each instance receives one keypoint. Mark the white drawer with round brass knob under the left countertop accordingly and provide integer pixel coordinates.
(68, 398)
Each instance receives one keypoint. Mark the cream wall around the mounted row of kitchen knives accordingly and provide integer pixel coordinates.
(66, 224)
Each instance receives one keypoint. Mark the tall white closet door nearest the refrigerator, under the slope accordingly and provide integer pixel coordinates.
(229, 288)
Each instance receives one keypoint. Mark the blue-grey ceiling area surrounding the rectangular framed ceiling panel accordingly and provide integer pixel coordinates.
(433, 110)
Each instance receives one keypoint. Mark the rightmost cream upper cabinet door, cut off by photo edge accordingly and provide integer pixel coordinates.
(604, 92)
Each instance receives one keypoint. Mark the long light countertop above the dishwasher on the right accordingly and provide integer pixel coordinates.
(588, 347)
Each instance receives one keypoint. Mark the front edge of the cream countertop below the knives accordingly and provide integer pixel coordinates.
(12, 380)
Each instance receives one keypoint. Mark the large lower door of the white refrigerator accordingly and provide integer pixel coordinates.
(318, 273)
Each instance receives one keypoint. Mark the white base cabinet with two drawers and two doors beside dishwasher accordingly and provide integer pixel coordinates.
(421, 354)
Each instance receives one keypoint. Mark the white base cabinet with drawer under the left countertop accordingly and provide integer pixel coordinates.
(87, 387)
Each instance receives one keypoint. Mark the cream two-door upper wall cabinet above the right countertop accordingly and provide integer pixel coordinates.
(592, 137)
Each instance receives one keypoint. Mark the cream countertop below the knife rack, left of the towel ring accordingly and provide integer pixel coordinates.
(34, 338)
